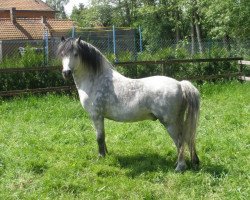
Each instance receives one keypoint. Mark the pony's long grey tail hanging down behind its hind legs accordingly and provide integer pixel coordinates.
(191, 98)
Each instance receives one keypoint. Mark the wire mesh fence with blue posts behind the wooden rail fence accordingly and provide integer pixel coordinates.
(120, 44)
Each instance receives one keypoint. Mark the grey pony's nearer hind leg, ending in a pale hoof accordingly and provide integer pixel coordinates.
(176, 135)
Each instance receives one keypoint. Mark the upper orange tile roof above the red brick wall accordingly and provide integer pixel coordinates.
(25, 5)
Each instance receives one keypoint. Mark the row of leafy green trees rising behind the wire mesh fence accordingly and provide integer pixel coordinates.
(171, 19)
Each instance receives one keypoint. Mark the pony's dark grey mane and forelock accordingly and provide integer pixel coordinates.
(89, 55)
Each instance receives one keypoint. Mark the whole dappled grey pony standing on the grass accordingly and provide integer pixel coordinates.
(105, 93)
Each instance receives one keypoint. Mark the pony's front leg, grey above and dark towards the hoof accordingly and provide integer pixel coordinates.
(100, 135)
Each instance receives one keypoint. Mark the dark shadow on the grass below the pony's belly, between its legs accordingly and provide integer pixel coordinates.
(141, 163)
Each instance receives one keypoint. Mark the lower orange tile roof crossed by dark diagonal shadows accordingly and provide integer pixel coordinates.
(33, 28)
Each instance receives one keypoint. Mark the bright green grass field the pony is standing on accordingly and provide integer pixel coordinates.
(48, 151)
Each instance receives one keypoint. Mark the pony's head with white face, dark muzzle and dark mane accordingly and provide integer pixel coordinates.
(77, 54)
